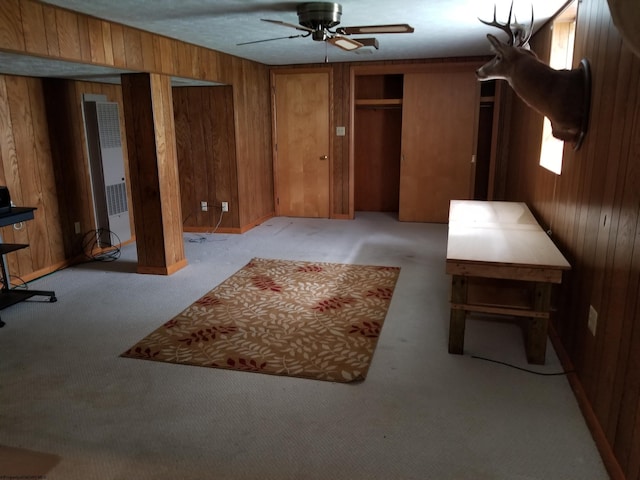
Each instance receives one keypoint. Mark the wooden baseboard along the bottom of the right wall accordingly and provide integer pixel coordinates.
(597, 432)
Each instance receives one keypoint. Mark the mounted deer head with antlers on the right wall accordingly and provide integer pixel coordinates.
(560, 95)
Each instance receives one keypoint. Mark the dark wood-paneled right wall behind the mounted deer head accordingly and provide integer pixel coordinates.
(593, 209)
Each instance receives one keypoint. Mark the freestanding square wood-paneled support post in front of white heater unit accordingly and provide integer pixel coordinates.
(155, 188)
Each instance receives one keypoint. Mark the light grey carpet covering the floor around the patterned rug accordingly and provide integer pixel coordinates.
(420, 414)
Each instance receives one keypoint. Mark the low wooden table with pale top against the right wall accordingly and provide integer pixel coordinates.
(502, 262)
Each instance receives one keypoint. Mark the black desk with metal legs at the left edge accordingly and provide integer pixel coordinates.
(10, 296)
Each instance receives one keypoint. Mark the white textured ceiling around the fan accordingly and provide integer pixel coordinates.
(442, 28)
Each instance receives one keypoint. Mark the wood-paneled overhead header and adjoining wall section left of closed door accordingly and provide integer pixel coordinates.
(29, 27)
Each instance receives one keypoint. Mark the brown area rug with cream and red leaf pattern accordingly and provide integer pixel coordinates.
(303, 319)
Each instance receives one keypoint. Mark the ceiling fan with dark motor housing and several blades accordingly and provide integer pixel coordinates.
(317, 19)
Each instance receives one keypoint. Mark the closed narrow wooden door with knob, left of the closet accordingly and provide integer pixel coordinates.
(302, 148)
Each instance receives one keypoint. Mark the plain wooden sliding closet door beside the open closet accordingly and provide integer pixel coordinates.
(438, 143)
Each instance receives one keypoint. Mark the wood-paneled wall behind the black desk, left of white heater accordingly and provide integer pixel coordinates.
(44, 164)
